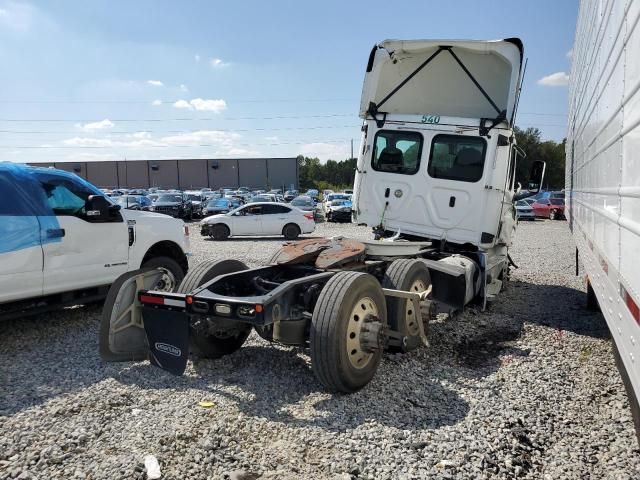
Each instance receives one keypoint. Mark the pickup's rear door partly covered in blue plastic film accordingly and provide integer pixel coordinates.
(21, 256)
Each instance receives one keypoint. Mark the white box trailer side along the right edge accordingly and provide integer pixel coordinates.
(603, 171)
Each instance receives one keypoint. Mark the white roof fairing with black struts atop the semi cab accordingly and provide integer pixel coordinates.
(442, 87)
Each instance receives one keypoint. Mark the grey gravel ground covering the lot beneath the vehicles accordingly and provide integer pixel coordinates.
(527, 389)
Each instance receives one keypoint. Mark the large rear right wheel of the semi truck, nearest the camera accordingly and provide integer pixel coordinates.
(347, 331)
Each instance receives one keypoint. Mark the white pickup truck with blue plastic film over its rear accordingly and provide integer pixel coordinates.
(63, 242)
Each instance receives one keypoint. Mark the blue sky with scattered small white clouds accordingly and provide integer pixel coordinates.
(157, 79)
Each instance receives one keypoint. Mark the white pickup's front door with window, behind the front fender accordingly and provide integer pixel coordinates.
(89, 252)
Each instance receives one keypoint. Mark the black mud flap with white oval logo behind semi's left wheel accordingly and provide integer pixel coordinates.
(168, 336)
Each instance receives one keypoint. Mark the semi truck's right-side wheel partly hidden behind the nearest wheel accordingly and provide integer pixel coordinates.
(409, 275)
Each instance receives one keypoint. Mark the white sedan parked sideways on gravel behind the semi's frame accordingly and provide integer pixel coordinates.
(259, 219)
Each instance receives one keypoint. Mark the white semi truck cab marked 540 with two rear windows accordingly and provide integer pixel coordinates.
(438, 155)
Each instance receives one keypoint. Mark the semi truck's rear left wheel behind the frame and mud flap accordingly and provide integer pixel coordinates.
(224, 340)
